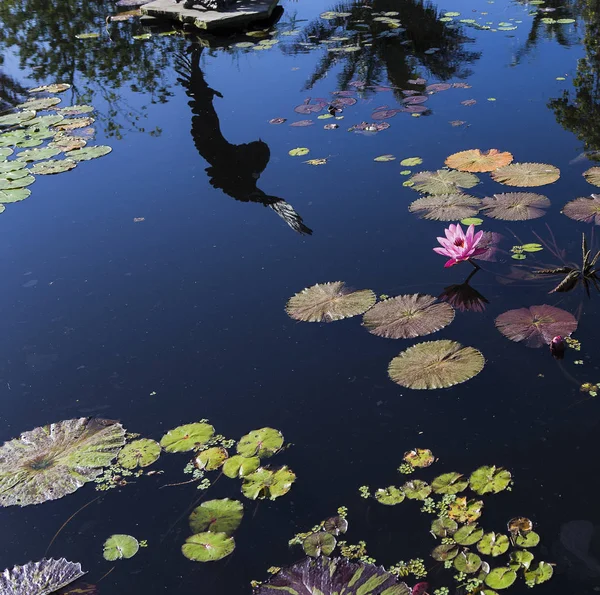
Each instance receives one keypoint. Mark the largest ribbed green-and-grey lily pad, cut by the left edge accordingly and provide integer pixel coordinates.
(52, 461)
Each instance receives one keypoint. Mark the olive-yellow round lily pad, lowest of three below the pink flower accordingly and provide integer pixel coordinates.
(435, 364)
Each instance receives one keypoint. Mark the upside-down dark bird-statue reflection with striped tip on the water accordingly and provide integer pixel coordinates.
(234, 169)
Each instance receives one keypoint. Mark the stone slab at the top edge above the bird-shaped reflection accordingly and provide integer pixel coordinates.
(236, 17)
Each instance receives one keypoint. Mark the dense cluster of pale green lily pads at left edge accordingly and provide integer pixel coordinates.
(32, 144)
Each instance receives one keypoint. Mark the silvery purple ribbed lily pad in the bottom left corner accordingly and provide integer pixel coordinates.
(39, 578)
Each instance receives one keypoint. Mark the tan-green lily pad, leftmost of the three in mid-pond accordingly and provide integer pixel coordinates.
(326, 302)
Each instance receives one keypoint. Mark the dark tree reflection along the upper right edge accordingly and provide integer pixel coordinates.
(578, 110)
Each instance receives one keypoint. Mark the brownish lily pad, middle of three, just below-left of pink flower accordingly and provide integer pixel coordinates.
(408, 316)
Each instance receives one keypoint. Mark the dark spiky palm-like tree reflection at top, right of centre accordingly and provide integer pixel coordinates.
(422, 44)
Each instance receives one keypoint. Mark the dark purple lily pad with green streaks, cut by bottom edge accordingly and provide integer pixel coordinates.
(333, 575)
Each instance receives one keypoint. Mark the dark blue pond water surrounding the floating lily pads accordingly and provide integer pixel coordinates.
(149, 286)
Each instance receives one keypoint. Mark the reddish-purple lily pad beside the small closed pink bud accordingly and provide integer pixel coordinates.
(537, 325)
